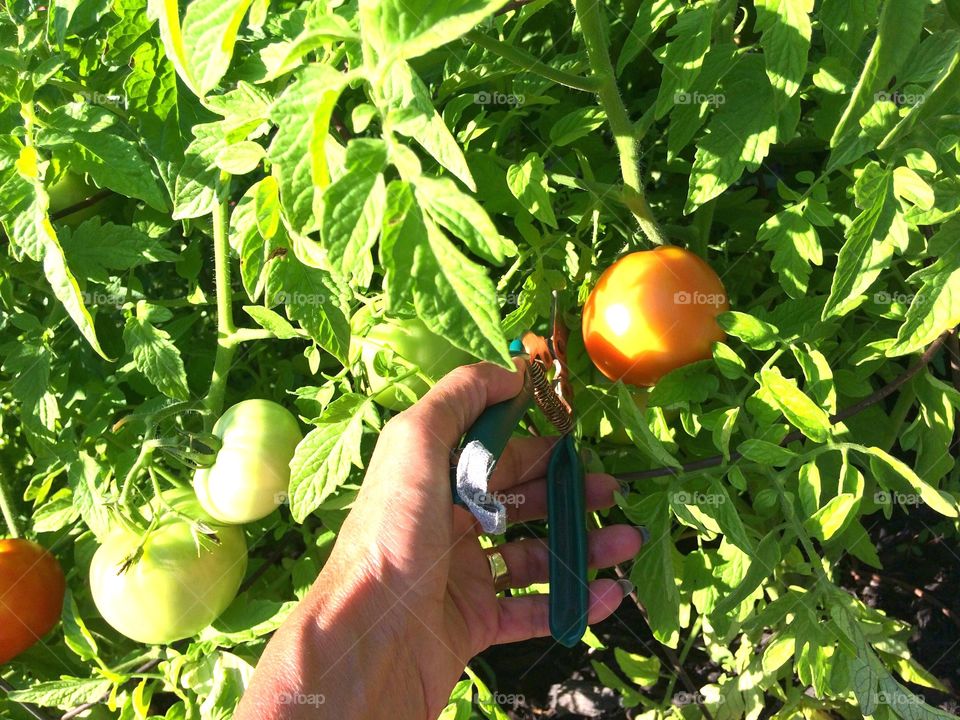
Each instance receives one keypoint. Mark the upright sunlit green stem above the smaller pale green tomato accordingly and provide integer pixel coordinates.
(226, 347)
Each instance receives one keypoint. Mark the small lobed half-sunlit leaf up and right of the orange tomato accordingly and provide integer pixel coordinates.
(795, 246)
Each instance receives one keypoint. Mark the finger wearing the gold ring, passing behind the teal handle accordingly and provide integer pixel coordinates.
(528, 560)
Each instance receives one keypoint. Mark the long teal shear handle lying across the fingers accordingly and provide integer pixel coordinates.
(569, 591)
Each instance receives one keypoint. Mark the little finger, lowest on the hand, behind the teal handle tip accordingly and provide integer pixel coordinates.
(522, 618)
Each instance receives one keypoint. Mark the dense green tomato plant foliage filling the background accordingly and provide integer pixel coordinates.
(459, 161)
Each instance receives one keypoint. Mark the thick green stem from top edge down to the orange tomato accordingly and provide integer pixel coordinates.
(591, 23)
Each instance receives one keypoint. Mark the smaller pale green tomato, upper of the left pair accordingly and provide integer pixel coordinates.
(251, 474)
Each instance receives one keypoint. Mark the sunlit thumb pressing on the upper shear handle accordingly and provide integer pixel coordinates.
(438, 421)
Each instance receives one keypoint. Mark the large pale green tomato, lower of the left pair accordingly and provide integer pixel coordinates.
(177, 584)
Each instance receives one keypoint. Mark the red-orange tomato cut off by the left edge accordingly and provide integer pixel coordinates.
(31, 595)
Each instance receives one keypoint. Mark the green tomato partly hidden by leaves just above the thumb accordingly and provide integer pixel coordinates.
(413, 342)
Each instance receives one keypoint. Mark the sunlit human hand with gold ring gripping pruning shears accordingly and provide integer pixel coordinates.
(407, 597)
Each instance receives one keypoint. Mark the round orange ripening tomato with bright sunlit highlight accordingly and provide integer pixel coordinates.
(652, 312)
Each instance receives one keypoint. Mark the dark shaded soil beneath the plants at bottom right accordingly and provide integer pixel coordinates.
(919, 584)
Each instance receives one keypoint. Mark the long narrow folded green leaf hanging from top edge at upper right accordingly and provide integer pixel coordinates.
(897, 34)
